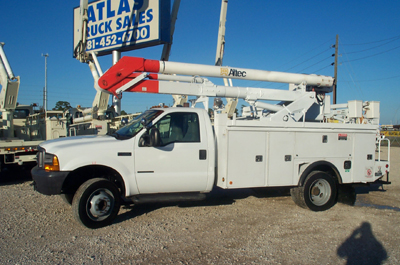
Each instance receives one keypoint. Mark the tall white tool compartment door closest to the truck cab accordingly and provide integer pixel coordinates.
(246, 154)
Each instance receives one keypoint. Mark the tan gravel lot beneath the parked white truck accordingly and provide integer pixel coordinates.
(231, 227)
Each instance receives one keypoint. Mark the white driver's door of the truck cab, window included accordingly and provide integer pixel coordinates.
(180, 163)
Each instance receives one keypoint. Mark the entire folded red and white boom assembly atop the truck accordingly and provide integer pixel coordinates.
(150, 76)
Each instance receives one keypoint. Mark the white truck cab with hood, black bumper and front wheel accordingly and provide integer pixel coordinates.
(169, 151)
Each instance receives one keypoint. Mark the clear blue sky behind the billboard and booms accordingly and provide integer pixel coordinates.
(292, 36)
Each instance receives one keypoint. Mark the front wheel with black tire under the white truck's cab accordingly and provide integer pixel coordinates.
(96, 203)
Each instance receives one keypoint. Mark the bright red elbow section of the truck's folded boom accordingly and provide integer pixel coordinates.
(126, 69)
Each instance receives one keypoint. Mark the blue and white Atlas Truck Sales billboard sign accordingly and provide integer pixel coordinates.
(124, 25)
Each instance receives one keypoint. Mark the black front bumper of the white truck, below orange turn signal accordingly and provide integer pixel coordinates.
(48, 183)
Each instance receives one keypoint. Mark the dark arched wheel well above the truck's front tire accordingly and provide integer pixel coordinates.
(77, 177)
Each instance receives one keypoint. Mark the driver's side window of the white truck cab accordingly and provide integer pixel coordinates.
(179, 127)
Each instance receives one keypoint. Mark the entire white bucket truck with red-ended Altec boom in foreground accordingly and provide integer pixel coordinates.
(303, 142)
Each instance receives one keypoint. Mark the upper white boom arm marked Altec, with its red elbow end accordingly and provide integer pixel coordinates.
(125, 73)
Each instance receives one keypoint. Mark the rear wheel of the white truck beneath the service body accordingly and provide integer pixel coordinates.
(319, 192)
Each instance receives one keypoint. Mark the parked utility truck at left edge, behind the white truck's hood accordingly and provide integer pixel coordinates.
(22, 129)
